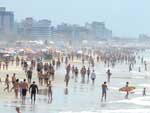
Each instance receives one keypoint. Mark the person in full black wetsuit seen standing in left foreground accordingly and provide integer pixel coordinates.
(33, 89)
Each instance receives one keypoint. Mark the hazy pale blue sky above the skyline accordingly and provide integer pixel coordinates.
(124, 17)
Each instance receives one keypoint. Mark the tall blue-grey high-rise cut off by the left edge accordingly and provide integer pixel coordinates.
(6, 20)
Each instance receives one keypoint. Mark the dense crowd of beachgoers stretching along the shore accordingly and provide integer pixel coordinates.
(46, 71)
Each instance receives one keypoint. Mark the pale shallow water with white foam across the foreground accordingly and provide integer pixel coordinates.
(85, 98)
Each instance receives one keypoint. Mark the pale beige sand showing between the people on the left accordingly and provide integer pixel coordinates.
(9, 96)
